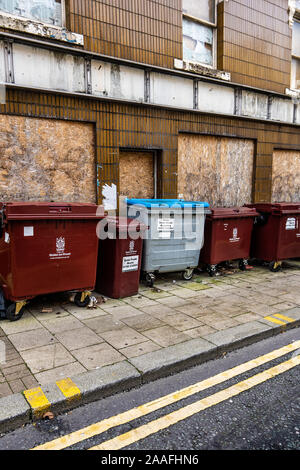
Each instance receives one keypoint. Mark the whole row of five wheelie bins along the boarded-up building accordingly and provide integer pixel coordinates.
(49, 247)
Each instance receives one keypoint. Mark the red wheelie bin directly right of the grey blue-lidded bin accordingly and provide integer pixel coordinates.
(227, 236)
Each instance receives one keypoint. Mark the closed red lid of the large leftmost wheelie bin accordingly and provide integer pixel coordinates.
(50, 210)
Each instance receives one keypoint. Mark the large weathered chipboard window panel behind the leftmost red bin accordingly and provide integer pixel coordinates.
(46, 160)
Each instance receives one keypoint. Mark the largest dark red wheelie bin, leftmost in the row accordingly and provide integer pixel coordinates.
(47, 248)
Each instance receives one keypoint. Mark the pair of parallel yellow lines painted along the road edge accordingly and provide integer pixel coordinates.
(165, 421)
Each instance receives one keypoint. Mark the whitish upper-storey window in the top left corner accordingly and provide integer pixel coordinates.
(45, 11)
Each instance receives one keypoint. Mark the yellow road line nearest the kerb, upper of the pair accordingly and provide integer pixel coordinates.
(127, 416)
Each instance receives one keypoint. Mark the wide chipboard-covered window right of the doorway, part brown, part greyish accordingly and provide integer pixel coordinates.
(218, 170)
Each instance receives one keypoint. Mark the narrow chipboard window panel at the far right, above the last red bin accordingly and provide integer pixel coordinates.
(286, 176)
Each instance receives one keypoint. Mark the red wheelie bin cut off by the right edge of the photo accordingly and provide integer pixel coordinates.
(276, 234)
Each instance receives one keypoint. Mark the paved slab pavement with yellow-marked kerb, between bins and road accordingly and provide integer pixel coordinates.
(59, 356)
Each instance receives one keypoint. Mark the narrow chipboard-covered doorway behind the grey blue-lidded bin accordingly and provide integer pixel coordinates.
(138, 174)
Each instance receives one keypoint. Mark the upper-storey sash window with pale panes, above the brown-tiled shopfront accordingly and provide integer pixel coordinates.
(199, 31)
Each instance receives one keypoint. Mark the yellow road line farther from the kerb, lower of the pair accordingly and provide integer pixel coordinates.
(170, 419)
